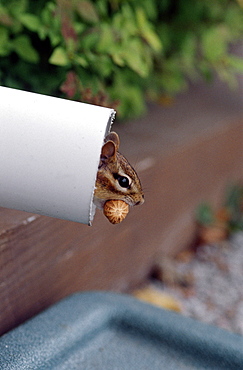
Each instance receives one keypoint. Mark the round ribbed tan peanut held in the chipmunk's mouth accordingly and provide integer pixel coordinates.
(115, 210)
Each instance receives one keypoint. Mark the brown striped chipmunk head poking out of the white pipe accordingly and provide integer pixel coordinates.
(116, 178)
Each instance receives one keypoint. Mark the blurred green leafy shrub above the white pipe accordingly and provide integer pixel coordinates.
(117, 52)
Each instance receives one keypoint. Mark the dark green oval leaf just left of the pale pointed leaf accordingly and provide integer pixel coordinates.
(22, 46)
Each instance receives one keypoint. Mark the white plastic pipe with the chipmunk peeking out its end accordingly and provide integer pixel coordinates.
(49, 154)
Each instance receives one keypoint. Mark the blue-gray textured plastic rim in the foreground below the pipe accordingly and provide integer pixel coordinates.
(109, 331)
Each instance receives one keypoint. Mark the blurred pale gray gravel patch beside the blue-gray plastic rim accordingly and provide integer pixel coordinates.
(214, 292)
